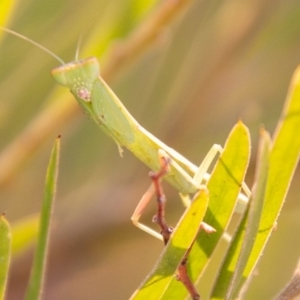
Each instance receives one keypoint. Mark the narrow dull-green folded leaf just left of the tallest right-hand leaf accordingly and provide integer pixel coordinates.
(238, 253)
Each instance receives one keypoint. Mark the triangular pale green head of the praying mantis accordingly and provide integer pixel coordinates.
(78, 76)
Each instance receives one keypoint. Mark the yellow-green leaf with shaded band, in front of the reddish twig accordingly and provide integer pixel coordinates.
(183, 236)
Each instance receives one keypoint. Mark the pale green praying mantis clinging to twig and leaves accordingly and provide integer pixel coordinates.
(82, 78)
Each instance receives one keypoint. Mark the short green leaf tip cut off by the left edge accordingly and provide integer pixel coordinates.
(5, 244)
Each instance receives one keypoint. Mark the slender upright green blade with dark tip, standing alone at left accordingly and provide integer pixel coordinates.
(38, 269)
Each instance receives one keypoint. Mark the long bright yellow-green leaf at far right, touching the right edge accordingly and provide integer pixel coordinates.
(283, 162)
